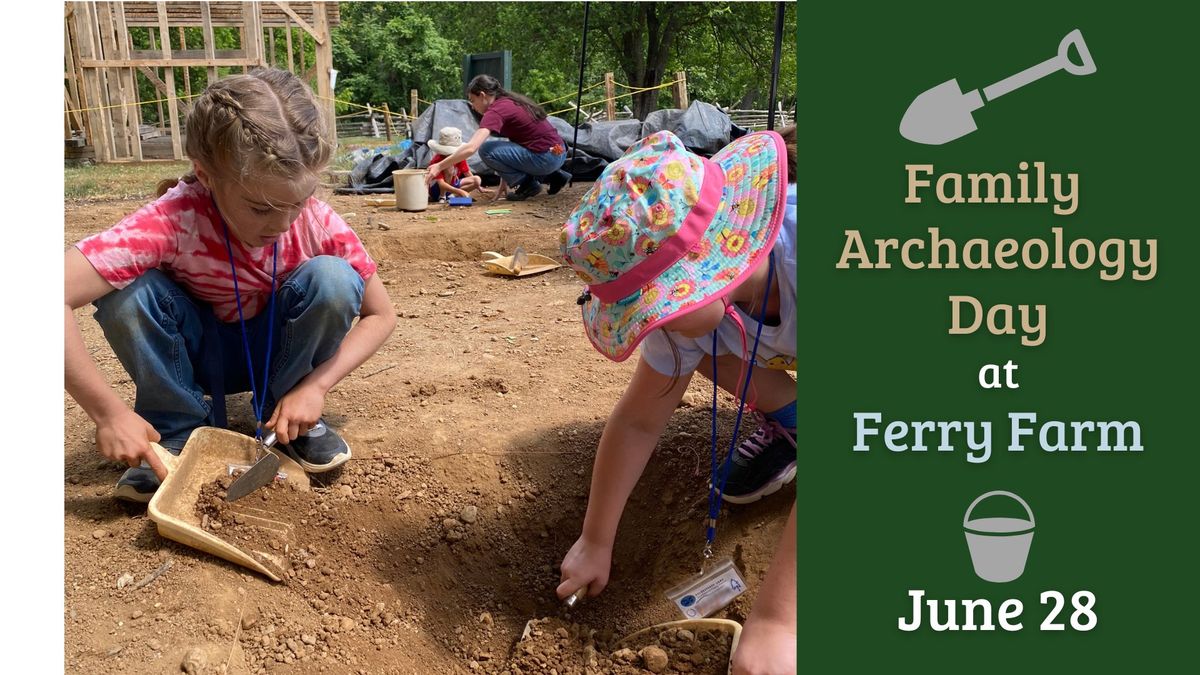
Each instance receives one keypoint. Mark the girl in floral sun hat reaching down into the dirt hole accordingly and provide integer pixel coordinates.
(692, 259)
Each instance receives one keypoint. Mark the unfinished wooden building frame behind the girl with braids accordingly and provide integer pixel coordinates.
(103, 69)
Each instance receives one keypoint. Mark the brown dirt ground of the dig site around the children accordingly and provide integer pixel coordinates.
(473, 432)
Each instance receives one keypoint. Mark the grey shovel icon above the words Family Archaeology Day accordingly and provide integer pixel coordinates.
(945, 114)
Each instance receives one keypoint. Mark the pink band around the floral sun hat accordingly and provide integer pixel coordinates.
(675, 248)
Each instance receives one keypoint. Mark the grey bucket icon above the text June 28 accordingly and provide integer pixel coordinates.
(999, 546)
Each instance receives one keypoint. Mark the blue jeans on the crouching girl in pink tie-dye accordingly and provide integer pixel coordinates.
(169, 342)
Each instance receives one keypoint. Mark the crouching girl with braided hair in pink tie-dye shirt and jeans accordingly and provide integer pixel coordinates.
(237, 279)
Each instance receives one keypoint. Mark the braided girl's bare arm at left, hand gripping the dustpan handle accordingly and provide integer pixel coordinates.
(122, 435)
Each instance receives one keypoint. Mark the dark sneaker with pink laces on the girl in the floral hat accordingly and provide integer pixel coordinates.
(763, 464)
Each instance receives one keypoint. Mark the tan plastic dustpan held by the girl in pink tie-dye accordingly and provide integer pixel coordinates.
(207, 457)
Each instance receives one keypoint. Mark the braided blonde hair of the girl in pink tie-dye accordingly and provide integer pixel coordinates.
(263, 123)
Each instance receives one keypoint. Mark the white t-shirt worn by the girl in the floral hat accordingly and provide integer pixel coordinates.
(777, 348)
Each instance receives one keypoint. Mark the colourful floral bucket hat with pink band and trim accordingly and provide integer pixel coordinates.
(664, 232)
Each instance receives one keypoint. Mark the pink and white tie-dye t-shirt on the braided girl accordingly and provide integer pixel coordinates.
(181, 234)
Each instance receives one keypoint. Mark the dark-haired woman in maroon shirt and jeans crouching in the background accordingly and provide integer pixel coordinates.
(533, 152)
